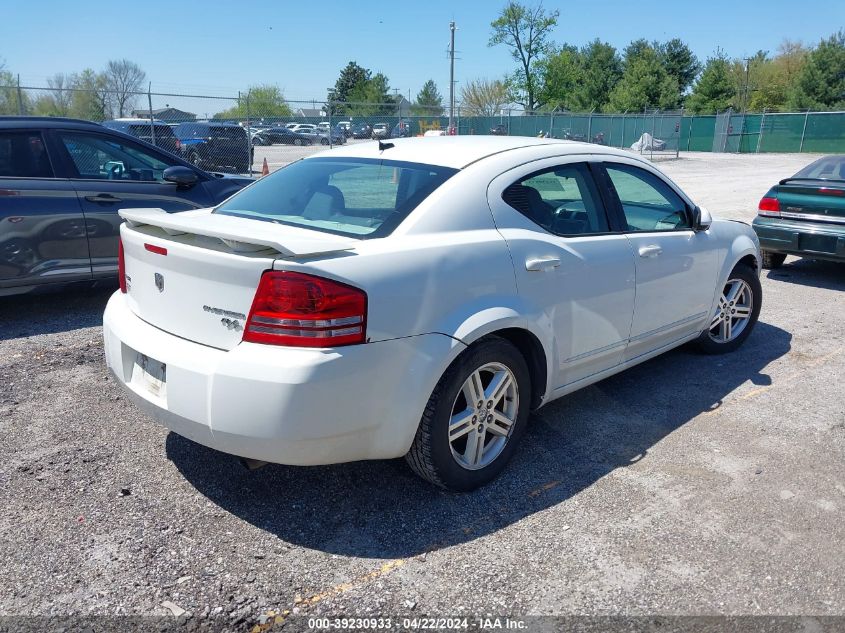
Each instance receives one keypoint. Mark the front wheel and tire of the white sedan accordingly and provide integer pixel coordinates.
(736, 312)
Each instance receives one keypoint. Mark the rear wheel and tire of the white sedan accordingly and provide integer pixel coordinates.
(474, 418)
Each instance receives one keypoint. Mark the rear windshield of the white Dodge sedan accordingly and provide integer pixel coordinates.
(356, 197)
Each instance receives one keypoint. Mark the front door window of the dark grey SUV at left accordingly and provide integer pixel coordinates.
(101, 157)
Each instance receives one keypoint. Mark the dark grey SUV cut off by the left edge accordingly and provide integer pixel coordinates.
(62, 182)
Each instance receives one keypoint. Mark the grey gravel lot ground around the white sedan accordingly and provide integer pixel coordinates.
(687, 485)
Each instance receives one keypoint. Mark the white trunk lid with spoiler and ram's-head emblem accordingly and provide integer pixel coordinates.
(194, 274)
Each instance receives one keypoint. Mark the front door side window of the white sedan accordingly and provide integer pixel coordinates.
(649, 204)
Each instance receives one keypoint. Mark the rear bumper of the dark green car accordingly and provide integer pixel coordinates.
(816, 240)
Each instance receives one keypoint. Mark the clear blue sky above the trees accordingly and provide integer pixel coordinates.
(195, 47)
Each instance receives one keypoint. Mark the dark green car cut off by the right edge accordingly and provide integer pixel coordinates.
(805, 215)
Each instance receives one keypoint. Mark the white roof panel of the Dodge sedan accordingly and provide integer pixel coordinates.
(459, 151)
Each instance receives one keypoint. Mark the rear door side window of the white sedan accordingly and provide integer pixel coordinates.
(562, 200)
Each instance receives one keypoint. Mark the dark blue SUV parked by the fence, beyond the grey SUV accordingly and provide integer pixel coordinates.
(213, 145)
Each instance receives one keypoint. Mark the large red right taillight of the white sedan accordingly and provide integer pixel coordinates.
(306, 311)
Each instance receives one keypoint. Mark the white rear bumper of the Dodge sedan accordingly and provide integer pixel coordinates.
(280, 404)
